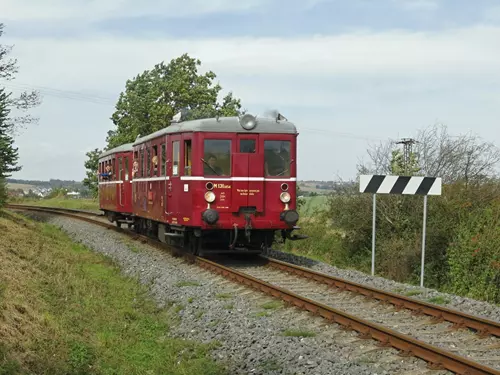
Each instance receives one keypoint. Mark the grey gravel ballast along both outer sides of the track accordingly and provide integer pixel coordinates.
(256, 334)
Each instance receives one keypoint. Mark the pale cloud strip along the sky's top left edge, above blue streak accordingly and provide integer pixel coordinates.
(93, 10)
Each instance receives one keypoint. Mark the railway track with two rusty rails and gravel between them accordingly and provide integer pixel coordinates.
(442, 337)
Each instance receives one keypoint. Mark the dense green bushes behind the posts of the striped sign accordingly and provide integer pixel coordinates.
(462, 213)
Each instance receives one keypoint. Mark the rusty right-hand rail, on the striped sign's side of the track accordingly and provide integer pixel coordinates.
(484, 327)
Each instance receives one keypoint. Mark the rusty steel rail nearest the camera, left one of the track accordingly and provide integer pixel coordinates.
(437, 358)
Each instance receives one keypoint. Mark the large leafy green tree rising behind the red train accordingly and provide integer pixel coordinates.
(152, 98)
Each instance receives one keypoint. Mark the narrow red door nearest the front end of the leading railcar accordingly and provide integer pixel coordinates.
(174, 190)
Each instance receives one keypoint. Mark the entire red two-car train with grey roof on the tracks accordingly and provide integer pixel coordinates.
(214, 185)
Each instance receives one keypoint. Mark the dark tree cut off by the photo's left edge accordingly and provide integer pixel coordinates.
(10, 124)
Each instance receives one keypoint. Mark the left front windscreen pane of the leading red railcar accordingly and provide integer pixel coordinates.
(217, 157)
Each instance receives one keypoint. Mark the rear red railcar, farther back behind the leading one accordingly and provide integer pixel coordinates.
(115, 184)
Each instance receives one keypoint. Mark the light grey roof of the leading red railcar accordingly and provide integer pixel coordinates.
(223, 125)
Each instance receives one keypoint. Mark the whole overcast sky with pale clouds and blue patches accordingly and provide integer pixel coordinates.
(348, 73)
